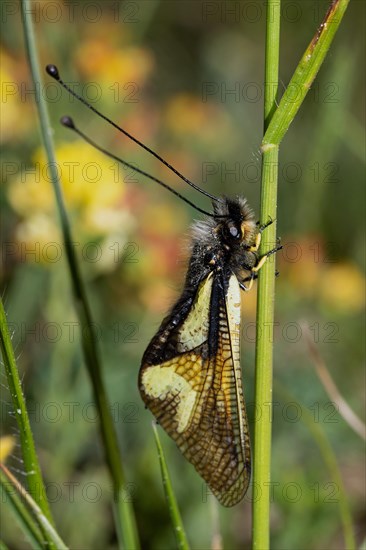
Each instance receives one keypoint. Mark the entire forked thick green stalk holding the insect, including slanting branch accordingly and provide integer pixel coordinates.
(277, 122)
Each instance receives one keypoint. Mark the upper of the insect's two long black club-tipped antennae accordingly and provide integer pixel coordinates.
(52, 70)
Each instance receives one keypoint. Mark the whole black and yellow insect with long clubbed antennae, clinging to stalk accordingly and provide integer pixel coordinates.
(190, 376)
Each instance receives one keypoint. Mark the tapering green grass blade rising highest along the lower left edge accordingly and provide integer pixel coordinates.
(31, 465)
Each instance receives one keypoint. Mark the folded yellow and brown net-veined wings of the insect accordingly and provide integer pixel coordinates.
(196, 395)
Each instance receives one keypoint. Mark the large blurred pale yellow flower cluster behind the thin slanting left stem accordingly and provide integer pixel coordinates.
(93, 191)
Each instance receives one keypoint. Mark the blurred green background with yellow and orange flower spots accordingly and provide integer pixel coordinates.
(186, 78)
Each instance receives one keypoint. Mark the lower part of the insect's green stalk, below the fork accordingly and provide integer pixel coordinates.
(264, 360)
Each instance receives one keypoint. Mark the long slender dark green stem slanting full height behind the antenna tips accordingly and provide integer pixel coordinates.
(123, 510)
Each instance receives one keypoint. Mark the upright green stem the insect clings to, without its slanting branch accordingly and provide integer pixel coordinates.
(265, 310)
